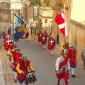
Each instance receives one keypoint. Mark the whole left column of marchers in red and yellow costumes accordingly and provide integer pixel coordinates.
(20, 64)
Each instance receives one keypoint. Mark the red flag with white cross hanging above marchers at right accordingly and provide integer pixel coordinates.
(60, 20)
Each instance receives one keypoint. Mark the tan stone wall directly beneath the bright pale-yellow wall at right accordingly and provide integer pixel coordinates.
(77, 33)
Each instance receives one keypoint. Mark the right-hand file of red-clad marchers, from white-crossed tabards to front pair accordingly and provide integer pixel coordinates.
(66, 62)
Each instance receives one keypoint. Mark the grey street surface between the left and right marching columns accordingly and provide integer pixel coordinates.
(43, 63)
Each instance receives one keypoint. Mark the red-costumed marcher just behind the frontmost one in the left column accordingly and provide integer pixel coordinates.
(15, 57)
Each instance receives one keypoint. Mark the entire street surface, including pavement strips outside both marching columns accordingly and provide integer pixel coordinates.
(43, 64)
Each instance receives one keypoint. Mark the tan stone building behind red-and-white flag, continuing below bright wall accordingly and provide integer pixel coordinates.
(76, 30)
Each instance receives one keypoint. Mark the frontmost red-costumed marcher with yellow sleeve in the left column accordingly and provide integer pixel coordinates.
(23, 66)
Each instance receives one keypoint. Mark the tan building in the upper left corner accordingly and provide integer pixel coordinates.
(4, 15)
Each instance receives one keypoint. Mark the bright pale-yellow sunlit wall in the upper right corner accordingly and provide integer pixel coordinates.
(78, 11)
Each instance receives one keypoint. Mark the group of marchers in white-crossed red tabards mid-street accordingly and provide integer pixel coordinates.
(47, 40)
